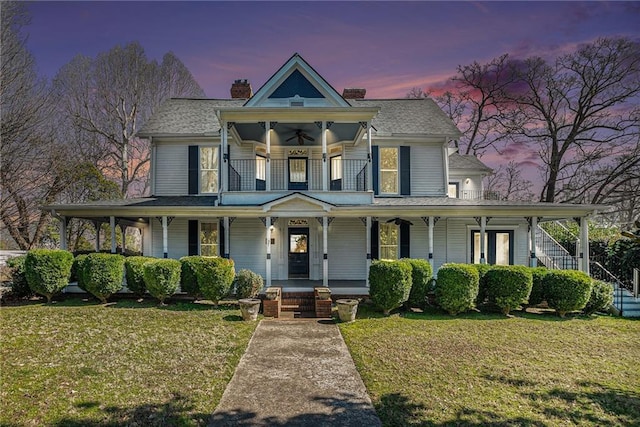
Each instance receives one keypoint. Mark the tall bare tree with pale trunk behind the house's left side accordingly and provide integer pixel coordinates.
(107, 98)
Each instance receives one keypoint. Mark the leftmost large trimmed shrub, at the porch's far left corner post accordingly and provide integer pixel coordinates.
(48, 270)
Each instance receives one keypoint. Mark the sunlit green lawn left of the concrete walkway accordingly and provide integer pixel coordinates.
(77, 363)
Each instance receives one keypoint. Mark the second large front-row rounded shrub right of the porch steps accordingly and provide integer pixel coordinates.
(457, 287)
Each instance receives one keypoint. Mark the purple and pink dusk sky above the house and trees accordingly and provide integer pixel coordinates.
(386, 47)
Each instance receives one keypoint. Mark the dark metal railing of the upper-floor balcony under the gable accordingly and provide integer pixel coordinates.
(250, 175)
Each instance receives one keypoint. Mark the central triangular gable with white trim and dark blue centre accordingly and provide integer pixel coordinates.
(296, 77)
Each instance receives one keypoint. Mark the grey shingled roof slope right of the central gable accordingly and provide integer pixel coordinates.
(409, 116)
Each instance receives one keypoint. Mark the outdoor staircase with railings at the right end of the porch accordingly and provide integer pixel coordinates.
(554, 256)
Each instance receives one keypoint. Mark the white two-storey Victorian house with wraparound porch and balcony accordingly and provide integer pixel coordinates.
(306, 186)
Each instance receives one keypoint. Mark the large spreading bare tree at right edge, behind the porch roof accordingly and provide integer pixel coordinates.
(577, 112)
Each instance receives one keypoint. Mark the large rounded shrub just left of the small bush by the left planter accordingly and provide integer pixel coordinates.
(215, 277)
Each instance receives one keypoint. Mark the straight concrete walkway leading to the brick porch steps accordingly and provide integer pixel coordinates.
(296, 373)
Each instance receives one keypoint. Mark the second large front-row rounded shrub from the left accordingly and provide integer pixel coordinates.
(104, 274)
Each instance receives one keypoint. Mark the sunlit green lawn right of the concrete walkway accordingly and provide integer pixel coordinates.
(479, 369)
